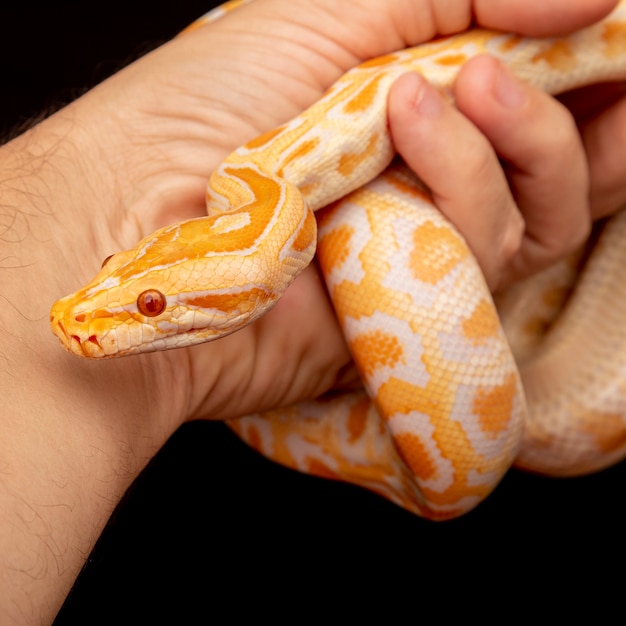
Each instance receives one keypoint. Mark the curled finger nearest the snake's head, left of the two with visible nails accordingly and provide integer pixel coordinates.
(455, 160)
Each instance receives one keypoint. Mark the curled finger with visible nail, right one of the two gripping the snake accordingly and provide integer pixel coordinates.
(544, 159)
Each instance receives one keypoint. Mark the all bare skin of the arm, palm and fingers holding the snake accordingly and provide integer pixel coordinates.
(134, 154)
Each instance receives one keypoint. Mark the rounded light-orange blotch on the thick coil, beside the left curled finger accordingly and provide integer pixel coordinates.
(436, 252)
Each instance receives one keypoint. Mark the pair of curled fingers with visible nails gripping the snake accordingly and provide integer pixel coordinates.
(517, 217)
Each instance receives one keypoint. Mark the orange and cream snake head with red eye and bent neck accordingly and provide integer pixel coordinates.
(194, 281)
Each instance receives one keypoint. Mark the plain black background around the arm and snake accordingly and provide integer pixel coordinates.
(211, 529)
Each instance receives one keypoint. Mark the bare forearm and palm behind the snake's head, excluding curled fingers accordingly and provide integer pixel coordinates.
(128, 157)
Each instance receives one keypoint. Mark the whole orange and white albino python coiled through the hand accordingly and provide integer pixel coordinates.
(447, 410)
